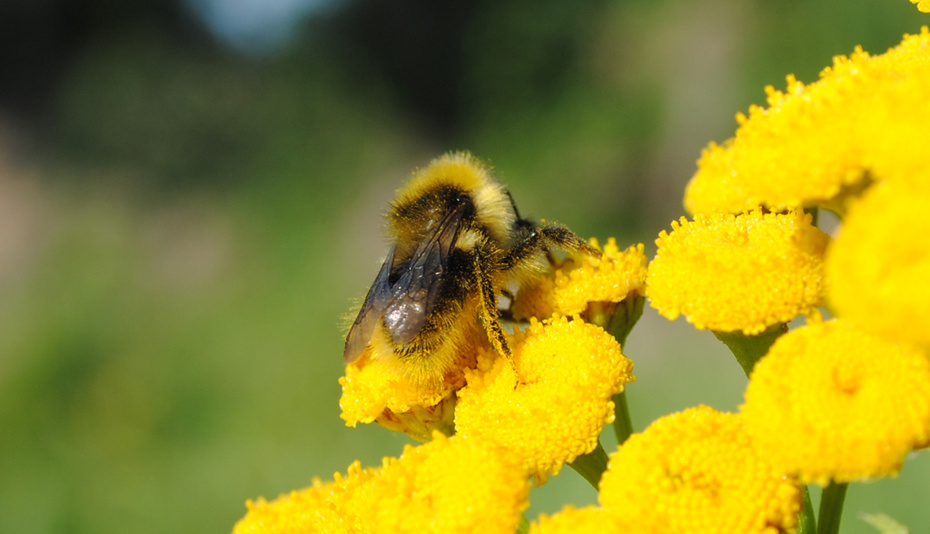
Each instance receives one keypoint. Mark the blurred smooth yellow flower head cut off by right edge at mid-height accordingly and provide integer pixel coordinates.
(879, 266)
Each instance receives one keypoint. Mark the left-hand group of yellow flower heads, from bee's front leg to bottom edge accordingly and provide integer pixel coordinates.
(511, 420)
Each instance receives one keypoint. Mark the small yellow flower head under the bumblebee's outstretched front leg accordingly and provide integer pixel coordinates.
(582, 280)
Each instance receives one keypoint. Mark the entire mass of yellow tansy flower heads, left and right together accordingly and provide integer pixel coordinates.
(829, 402)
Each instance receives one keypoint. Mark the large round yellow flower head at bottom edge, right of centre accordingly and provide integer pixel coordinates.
(697, 471)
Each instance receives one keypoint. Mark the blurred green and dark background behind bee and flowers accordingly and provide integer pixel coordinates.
(191, 193)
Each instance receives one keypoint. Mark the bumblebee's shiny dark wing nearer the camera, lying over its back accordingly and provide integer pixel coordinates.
(419, 287)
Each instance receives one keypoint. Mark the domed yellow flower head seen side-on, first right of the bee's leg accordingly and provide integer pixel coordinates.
(738, 272)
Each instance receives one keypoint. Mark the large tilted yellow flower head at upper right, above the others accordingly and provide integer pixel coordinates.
(815, 141)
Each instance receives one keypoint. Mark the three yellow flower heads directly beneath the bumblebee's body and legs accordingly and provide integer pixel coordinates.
(557, 365)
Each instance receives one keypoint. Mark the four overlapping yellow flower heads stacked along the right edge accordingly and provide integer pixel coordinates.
(848, 398)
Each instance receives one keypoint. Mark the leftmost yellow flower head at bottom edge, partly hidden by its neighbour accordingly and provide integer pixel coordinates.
(319, 508)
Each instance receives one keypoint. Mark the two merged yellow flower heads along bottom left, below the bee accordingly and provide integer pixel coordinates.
(446, 486)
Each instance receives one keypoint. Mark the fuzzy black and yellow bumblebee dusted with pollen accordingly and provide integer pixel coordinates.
(458, 240)
